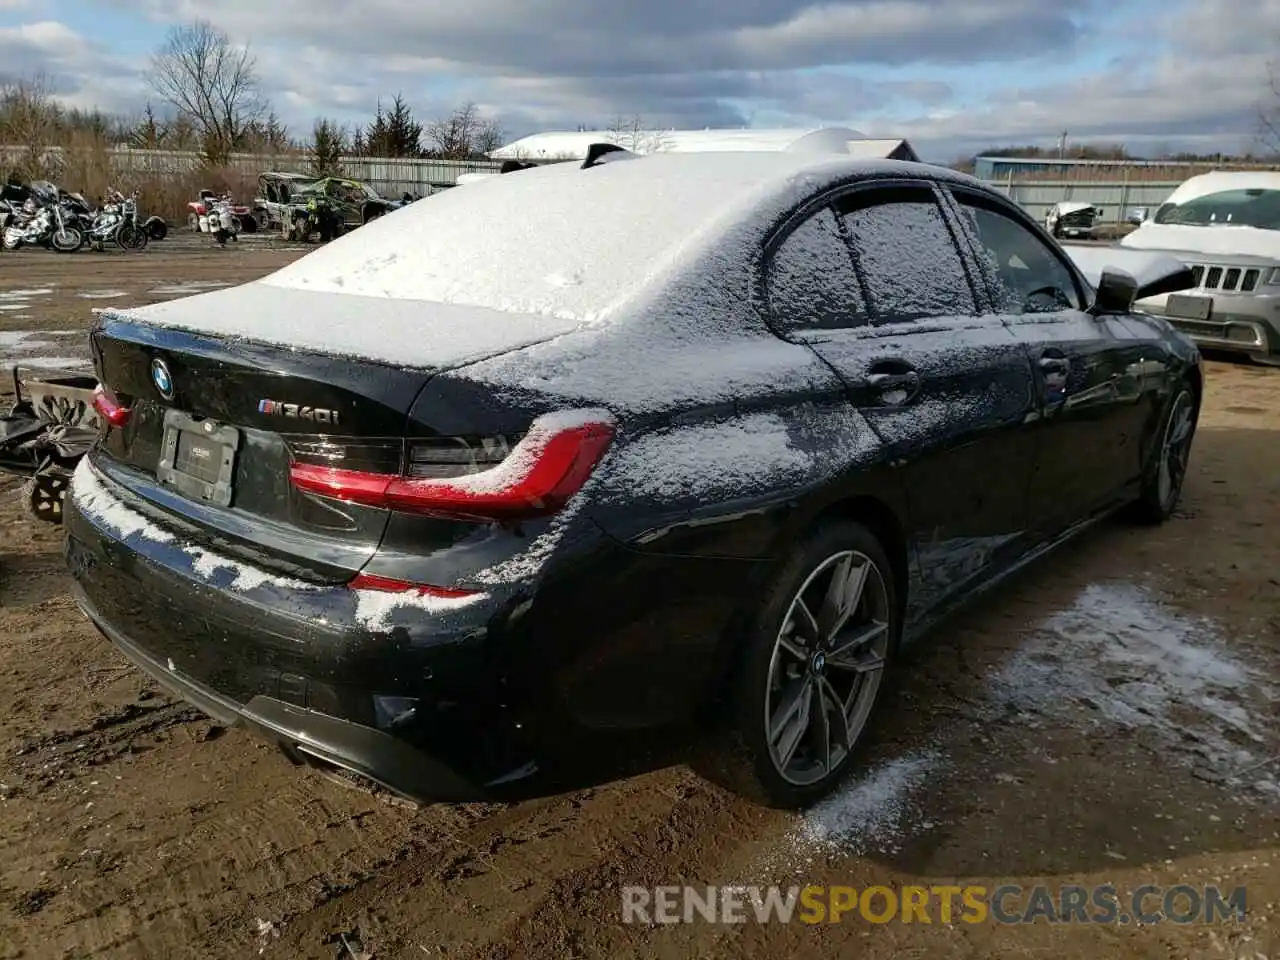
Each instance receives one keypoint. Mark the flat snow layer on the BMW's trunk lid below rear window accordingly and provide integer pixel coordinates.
(401, 332)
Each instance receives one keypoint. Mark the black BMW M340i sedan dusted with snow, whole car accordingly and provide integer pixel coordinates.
(591, 449)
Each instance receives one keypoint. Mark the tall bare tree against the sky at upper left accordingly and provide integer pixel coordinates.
(211, 83)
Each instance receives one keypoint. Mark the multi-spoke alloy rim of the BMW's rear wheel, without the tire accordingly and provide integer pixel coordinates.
(828, 664)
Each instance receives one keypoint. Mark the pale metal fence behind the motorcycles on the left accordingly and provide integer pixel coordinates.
(388, 176)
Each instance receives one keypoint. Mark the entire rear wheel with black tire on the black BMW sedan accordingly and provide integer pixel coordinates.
(778, 666)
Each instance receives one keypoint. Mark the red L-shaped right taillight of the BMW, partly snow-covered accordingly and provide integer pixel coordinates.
(491, 481)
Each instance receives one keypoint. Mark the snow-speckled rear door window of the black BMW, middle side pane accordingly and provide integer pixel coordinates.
(907, 255)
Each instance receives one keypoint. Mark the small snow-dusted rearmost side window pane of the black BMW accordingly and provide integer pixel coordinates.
(812, 281)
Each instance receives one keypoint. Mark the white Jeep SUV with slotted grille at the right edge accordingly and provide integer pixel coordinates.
(1226, 227)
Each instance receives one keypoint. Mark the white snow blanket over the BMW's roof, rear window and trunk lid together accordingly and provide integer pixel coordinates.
(537, 253)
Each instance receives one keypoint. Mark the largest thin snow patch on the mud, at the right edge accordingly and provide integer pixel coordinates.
(1119, 657)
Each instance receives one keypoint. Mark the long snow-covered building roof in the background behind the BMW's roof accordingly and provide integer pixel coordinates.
(826, 140)
